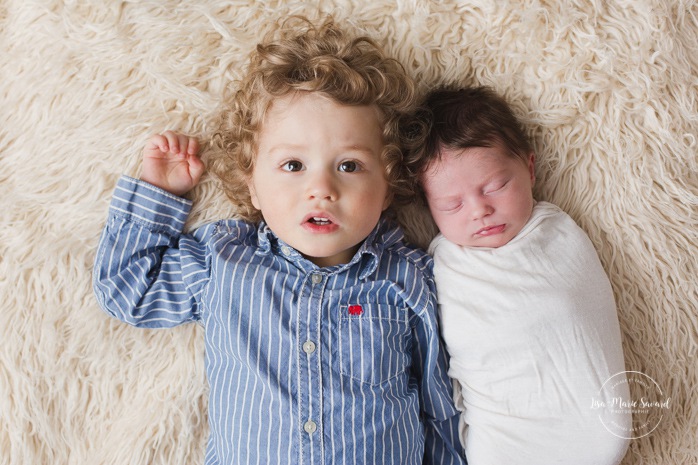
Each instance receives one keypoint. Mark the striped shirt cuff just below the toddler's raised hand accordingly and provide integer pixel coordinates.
(150, 206)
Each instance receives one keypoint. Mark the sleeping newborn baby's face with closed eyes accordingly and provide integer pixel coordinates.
(479, 196)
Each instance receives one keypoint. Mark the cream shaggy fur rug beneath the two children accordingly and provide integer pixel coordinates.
(609, 91)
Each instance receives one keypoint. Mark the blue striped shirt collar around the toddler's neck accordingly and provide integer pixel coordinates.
(382, 236)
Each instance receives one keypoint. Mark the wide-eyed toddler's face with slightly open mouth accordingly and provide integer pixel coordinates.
(318, 178)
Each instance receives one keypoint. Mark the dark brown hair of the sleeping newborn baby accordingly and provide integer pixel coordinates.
(461, 118)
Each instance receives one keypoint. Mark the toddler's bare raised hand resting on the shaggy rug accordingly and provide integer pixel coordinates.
(171, 162)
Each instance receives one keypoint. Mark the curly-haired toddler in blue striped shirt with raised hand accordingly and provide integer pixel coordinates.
(320, 324)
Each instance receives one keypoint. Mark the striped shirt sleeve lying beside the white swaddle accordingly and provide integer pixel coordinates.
(442, 444)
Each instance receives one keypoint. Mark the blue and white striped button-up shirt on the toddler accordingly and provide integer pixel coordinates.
(307, 365)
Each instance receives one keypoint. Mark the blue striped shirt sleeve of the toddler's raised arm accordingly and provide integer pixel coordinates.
(146, 273)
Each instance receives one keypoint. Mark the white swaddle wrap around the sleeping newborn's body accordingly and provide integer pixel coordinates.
(533, 334)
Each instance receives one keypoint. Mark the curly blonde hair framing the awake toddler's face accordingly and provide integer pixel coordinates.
(298, 56)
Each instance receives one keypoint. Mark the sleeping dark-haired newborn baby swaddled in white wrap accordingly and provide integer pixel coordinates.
(527, 312)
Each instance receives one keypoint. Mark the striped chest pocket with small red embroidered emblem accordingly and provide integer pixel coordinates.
(375, 342)
